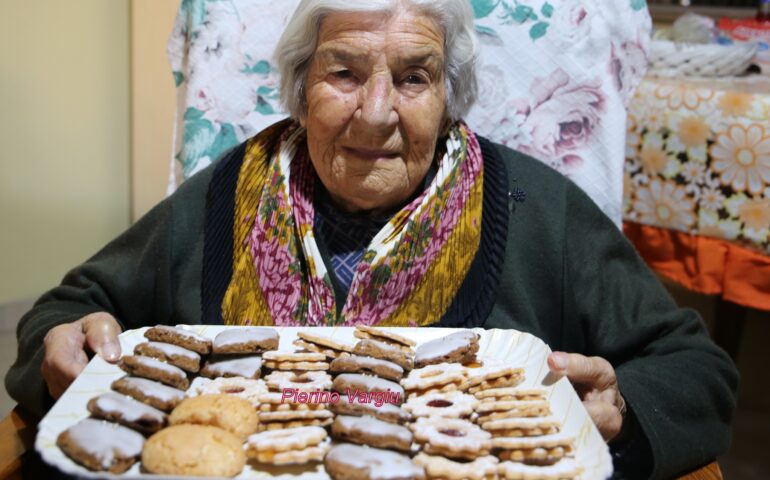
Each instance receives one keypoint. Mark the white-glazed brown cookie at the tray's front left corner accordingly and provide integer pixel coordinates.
(101, 446)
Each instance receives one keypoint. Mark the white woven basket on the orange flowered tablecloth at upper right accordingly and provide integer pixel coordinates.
(671, 59)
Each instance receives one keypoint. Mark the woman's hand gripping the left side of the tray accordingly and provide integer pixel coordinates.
(65, 348)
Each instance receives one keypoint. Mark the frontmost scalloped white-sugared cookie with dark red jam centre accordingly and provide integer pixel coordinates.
(451, 437)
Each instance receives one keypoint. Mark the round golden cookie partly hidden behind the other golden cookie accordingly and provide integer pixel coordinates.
(233, 414)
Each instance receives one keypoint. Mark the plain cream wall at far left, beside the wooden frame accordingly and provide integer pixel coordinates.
(64, 137)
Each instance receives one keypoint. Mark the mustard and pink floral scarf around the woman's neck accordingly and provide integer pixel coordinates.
(408, 275)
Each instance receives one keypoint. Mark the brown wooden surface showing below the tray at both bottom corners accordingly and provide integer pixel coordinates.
(17, 439)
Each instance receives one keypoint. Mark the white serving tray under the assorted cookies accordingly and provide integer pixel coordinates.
(516, 348)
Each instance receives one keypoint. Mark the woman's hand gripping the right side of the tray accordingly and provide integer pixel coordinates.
(596, 384)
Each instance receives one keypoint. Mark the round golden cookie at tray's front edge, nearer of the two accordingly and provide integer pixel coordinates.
(194, 450)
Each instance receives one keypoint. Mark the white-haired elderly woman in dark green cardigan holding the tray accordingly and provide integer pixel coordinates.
(375, 204)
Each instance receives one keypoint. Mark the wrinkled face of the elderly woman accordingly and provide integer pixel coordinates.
(376, 103)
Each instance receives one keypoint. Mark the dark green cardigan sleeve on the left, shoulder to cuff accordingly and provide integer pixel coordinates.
(149, 274)
